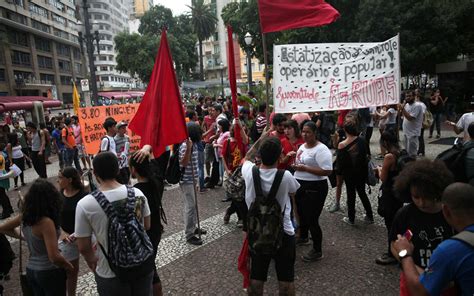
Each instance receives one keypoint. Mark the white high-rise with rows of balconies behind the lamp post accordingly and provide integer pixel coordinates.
(109, 17)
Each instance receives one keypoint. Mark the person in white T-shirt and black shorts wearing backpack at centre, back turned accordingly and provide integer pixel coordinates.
(269, 150)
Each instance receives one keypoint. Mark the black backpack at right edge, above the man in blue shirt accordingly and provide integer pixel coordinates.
(455, 159)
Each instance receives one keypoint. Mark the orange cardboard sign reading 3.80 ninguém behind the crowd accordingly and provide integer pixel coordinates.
(91, 120)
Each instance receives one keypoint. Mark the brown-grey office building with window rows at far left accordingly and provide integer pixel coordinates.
(39, 48)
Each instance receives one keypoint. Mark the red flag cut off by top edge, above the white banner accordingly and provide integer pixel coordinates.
(279, 15)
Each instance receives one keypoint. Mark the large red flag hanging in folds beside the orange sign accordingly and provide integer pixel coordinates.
(159, 120)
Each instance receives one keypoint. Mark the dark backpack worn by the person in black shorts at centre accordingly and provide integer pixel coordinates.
(265, 217)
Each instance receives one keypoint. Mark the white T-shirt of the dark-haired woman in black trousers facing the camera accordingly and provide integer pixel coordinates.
(318, 156)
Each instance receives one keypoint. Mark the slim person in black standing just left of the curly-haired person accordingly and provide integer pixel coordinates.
(388, 203)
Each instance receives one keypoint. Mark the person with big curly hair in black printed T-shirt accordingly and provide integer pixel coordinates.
(423, 217)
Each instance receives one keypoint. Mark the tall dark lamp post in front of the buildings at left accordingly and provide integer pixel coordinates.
(89, 38)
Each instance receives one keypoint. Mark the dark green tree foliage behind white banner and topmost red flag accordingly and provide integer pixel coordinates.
(431, 32)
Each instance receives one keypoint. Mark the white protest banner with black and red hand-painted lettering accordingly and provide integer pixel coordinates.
(335, 76)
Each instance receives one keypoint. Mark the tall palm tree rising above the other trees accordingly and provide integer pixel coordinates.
(204, 22)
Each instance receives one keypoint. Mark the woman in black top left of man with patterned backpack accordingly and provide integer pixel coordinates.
(72, 191)
